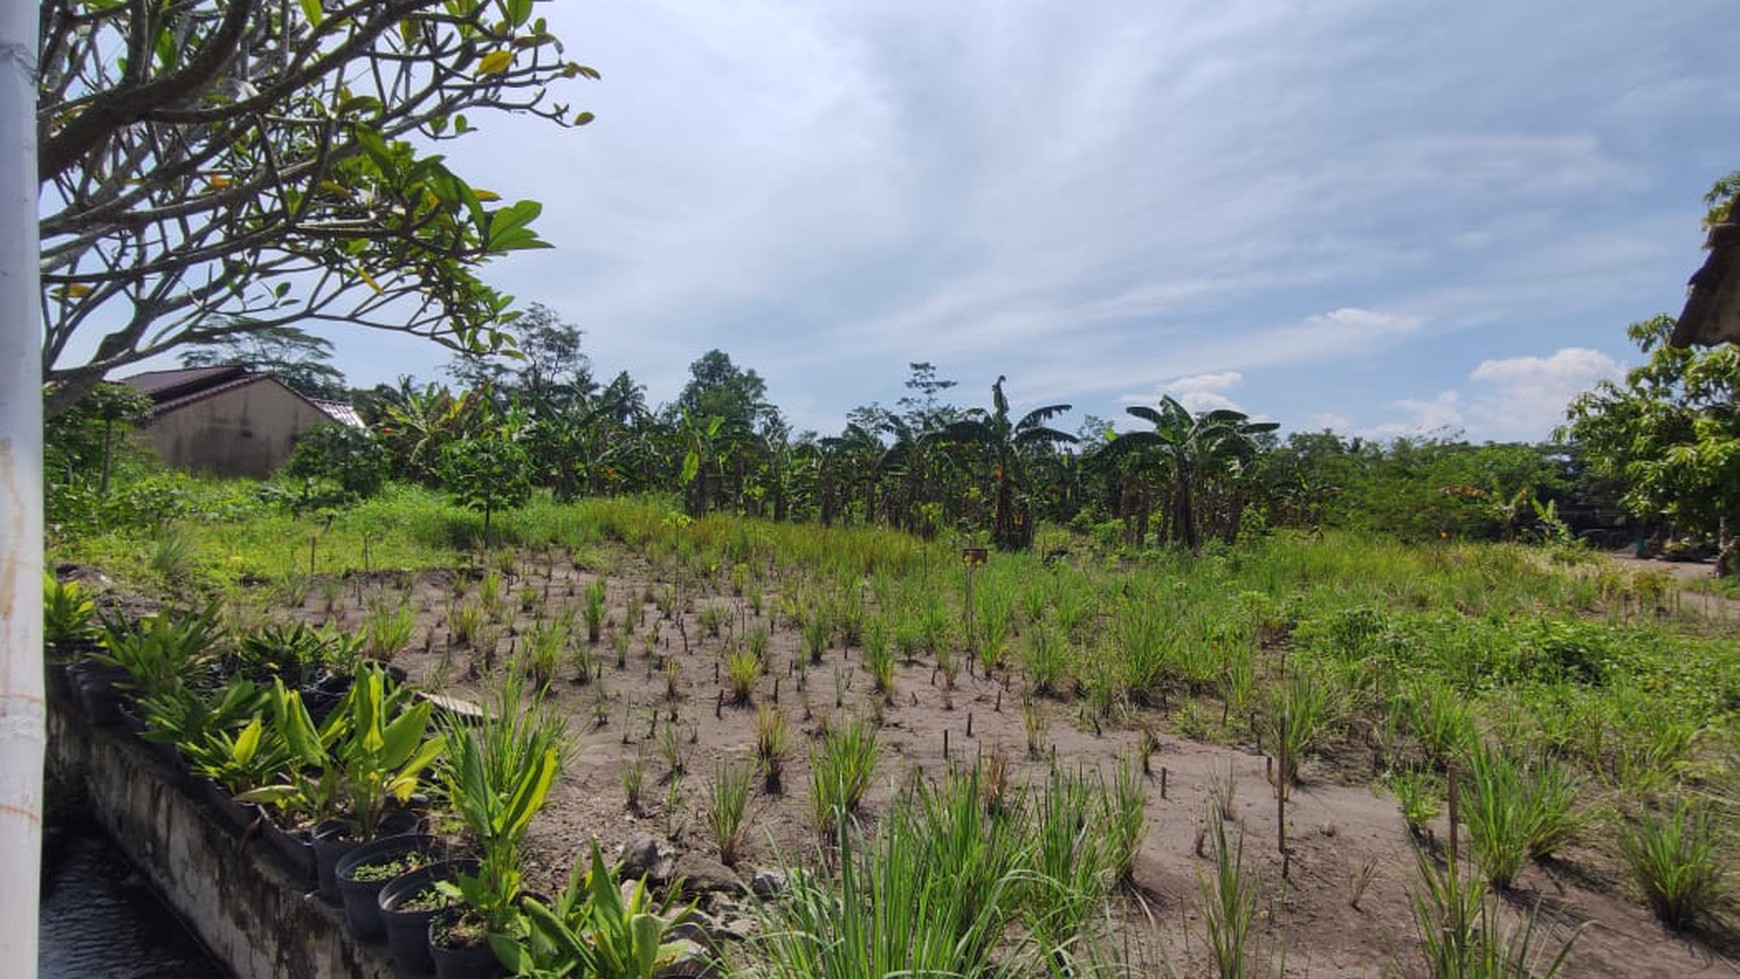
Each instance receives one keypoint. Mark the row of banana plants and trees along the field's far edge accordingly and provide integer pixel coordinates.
(502, 429)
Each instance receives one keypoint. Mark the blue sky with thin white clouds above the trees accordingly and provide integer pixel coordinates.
(1358, 215)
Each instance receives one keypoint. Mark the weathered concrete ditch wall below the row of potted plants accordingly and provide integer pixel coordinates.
(248, 912)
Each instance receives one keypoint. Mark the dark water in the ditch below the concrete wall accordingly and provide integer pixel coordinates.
(102, 921)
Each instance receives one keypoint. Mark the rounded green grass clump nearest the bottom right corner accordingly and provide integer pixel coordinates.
(1676, 860)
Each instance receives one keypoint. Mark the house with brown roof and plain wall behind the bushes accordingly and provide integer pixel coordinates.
(231, 422)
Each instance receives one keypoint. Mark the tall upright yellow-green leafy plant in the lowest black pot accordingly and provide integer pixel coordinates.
(497, 776)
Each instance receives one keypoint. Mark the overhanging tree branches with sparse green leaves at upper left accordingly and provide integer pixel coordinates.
(215, 166)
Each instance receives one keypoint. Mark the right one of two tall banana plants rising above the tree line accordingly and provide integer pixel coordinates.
(1186, 451)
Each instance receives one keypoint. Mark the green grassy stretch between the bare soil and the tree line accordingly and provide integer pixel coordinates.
(1402, 655)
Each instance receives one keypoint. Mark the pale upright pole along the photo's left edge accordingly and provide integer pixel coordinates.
(23, 728)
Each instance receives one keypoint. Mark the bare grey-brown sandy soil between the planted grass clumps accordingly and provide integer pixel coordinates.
(1339, 827)
